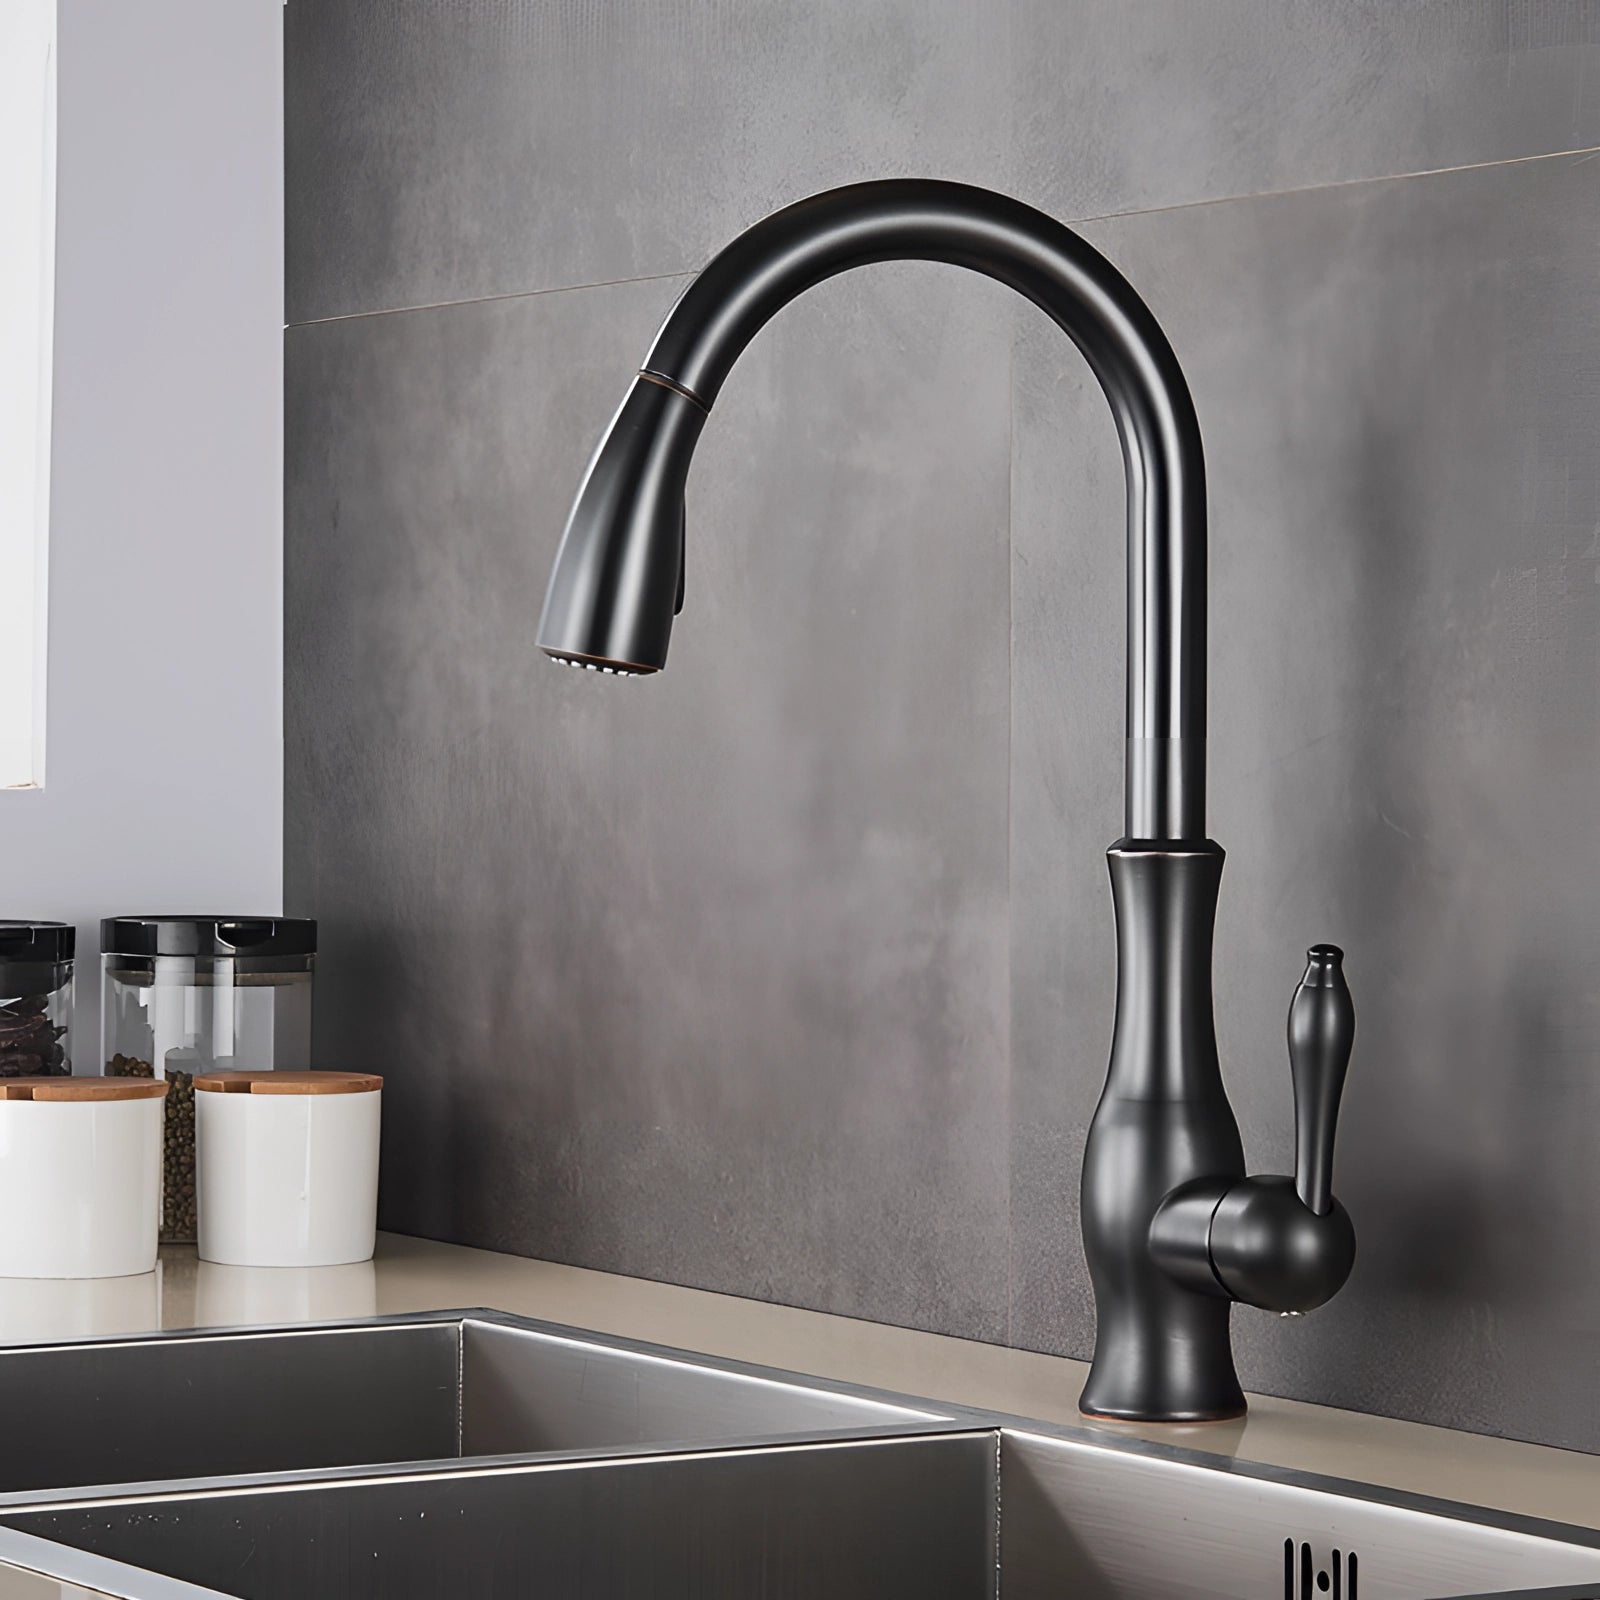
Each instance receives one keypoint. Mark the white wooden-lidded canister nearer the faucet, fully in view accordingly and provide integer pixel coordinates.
(287, 1167)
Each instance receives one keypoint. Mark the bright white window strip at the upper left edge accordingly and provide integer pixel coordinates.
(28, 279)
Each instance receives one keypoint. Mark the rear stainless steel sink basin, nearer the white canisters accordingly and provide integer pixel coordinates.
(460, 1385)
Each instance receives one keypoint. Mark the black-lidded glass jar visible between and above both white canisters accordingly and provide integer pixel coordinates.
(202, 994)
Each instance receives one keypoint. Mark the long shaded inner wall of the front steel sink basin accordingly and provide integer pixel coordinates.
(865, 1521)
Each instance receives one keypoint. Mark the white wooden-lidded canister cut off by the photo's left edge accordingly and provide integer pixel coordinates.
(81, 1177)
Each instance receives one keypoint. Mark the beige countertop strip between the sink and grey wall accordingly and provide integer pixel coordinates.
(415, 1274)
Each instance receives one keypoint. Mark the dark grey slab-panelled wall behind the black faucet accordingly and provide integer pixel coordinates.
(788, 974)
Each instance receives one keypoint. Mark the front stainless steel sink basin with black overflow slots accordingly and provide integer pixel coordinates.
(938, 1518)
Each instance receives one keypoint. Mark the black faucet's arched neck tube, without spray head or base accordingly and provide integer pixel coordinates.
(1097, 308)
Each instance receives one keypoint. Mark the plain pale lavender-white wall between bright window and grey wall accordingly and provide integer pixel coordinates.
(164, 724)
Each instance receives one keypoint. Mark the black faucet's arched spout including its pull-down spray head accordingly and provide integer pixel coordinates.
(622, 558)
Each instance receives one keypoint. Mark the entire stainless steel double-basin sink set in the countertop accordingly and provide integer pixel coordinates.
(482, 1455)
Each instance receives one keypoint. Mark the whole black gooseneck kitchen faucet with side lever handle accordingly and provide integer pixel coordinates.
(1174, 1230)
